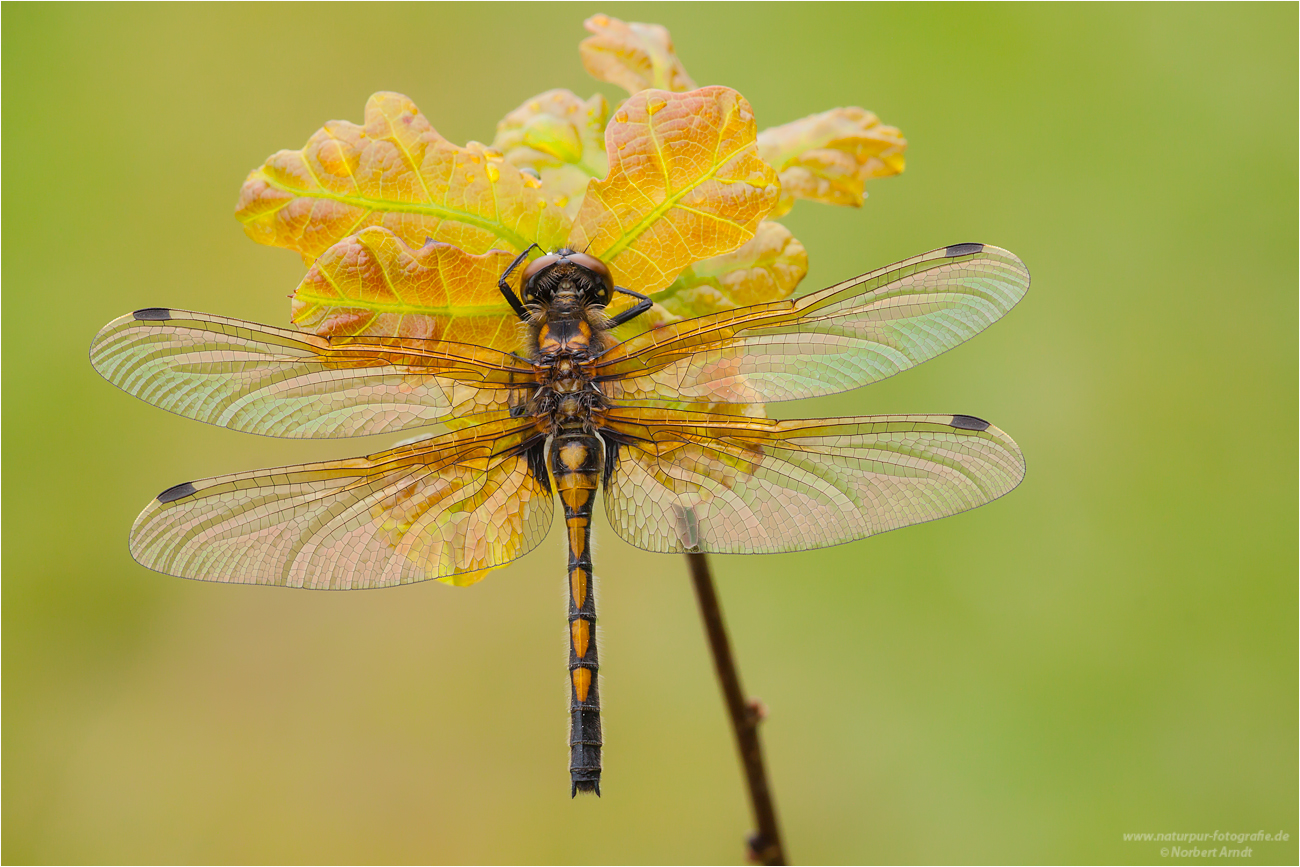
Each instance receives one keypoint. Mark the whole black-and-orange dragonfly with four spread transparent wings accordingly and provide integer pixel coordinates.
(662, 423)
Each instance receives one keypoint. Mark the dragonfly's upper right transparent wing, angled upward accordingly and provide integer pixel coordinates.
(843, 337)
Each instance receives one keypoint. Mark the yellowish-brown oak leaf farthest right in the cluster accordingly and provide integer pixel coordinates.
(830, 157)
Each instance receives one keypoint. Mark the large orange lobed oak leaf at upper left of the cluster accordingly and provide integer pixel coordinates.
(397, 172)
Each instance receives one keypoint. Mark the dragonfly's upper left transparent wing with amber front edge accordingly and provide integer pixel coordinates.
(289, 384)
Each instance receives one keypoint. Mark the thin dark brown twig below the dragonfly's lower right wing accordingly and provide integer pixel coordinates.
(766, 843)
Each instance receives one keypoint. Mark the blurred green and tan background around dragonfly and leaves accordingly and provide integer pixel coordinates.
(1110, 649)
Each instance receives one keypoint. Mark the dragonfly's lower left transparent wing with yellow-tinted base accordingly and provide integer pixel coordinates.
(435, 509)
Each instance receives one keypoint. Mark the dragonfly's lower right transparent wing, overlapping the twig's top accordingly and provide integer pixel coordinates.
(687, 482)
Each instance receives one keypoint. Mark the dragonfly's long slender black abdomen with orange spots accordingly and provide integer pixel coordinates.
(577, 461)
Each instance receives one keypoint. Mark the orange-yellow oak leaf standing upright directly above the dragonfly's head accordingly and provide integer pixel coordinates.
(686, 184)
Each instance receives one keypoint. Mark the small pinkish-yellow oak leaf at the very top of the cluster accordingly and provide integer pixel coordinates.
(634, 57)
